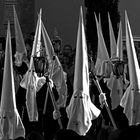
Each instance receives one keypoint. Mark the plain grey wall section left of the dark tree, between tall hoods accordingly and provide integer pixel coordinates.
(62, 15)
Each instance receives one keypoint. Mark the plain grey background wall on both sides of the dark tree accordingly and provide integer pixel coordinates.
(63, 14)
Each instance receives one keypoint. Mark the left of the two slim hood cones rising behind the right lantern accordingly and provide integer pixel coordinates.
(113, 45)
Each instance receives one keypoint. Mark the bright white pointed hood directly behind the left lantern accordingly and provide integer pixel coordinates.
(30, 80)
